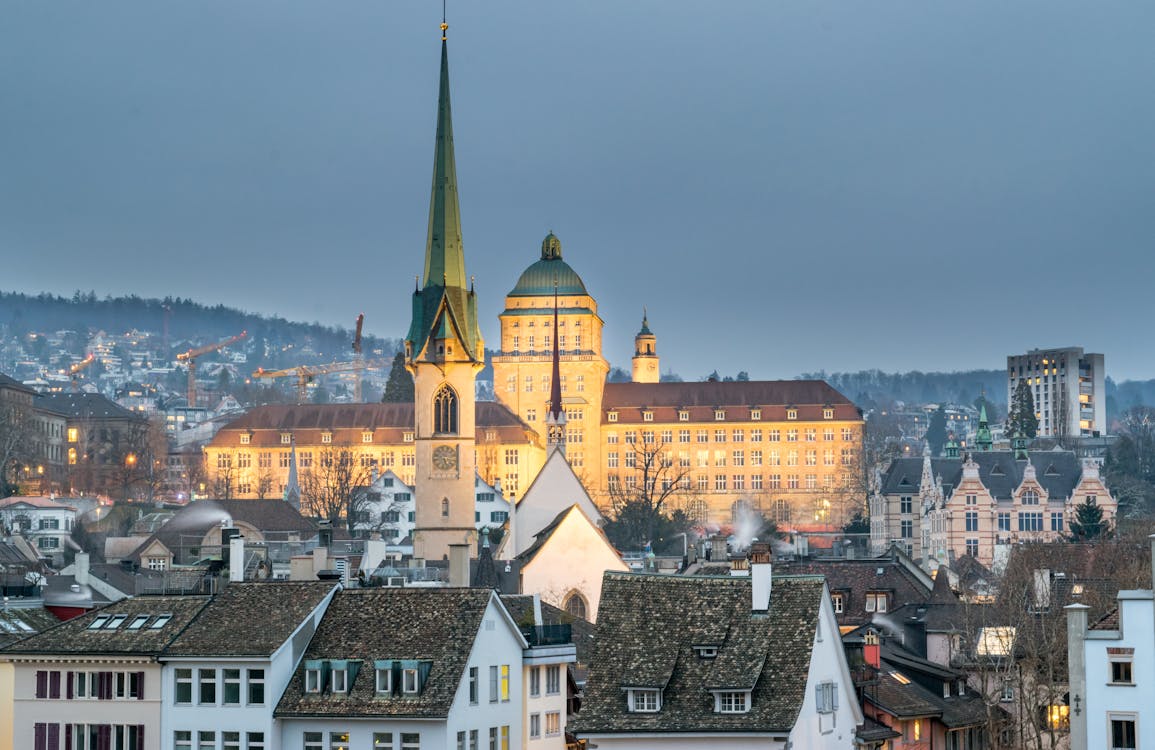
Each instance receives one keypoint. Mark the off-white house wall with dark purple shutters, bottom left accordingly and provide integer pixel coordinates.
(29, 711)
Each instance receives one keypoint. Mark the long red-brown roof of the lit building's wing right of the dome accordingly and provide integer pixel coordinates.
(772, 397)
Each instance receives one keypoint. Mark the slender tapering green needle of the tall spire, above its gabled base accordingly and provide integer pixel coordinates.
(445, 261)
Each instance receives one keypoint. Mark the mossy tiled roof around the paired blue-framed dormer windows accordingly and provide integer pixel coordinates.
(368, 625)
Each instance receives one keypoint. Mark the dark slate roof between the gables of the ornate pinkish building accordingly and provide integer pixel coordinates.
(1057, 471)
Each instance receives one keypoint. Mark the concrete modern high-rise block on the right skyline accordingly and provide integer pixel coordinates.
(1069, 390)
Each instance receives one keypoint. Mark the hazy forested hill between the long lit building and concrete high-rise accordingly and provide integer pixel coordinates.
(871, 388)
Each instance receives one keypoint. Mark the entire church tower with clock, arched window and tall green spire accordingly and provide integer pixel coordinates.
(444, 352)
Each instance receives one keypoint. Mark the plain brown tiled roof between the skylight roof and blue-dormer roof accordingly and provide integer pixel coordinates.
(250, 620)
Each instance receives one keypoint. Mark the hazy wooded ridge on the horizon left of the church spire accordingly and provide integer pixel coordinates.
(188, 322)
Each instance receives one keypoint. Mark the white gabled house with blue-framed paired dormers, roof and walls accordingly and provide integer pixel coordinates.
(409, 670)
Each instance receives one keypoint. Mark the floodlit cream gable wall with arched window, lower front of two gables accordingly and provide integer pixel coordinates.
(575, 560)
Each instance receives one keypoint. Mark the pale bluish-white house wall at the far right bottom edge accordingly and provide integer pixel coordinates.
(1137, 623)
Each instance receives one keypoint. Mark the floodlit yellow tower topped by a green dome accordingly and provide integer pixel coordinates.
(523, 367)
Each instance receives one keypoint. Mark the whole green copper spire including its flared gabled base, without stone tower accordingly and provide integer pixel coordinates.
(444, 307)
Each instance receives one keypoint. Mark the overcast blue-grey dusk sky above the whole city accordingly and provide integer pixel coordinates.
(786, 185)
